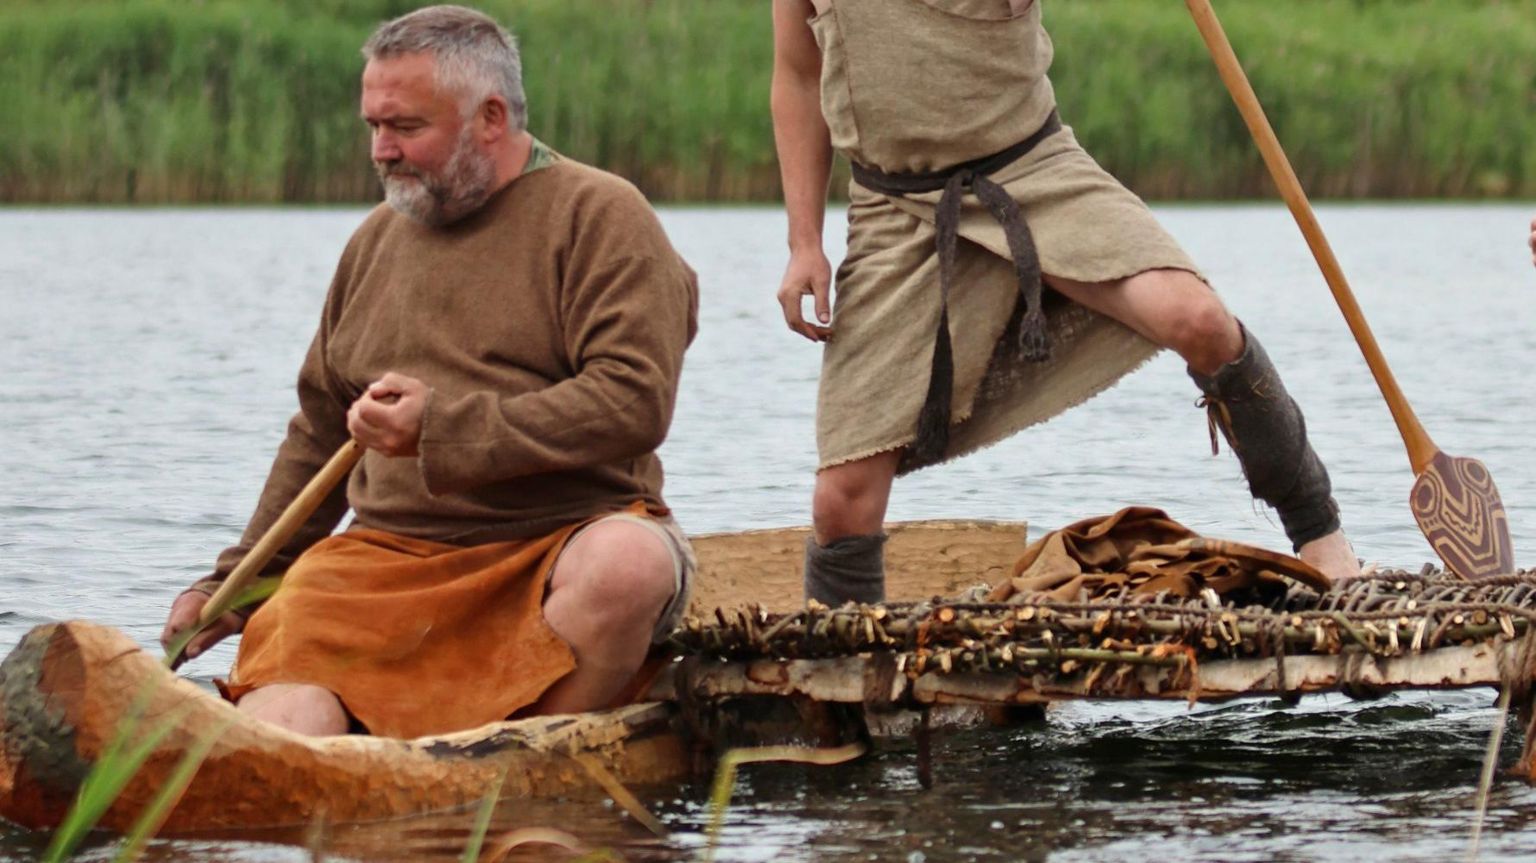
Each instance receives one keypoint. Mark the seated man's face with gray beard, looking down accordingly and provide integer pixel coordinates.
(425, 150)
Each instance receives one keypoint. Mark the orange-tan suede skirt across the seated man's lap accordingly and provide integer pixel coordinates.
(415, 638)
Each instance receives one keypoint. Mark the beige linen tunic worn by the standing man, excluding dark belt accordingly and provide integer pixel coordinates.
(925, 85)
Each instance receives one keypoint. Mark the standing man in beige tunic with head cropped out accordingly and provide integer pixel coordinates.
(968, 196)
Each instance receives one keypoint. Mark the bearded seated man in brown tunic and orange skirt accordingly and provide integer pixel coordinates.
(506, 339)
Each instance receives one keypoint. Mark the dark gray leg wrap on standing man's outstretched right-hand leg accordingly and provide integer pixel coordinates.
(1266, 431)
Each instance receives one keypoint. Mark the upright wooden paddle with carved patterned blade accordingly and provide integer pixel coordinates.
(1454, 500)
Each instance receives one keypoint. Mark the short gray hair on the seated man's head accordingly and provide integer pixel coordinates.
(477, 58)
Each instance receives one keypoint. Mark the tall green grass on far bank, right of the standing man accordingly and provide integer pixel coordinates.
(1369, 98)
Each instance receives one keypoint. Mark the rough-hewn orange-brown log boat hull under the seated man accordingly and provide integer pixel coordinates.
(67, 689)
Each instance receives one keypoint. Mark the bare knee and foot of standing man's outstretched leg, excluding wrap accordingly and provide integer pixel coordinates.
(1177, 311)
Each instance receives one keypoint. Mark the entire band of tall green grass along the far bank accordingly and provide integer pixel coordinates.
(256, 101)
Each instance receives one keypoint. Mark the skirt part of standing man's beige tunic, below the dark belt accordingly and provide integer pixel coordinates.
(876, 368)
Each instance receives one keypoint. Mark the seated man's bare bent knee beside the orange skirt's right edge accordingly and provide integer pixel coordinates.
(607, 592)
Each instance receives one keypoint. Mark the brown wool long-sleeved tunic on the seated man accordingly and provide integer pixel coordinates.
(551, 328)
